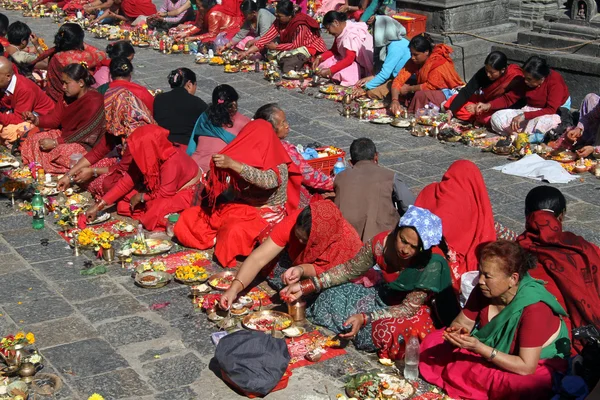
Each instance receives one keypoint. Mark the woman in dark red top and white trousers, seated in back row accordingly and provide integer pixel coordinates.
(545, 91)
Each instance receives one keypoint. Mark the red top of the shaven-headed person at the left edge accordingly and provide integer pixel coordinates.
(27, 96)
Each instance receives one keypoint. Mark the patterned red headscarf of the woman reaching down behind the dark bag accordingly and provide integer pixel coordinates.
(332, 239)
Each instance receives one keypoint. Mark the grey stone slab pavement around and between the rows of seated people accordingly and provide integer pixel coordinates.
(98, 333)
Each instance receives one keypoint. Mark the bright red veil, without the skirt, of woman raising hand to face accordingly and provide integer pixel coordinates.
(257, 146)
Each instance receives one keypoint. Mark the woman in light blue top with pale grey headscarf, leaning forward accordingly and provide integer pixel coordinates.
(392, 50)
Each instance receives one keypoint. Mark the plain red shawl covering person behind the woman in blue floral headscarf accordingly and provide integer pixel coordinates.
(462, 202)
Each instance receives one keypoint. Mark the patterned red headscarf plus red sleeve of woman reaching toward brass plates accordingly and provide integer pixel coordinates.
(332, 239)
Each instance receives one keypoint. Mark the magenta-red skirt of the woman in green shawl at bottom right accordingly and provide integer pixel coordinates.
(463, 374)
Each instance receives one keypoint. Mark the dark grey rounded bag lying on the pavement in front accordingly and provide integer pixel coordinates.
(253, 361)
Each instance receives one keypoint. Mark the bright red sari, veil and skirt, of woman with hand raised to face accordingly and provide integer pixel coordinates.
(235, 227)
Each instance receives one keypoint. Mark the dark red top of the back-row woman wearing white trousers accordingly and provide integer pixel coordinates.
(549, 96)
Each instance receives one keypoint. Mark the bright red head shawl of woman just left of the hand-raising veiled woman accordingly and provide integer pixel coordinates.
(149, 148)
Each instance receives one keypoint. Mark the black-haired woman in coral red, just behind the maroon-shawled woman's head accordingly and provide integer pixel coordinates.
(68, 49)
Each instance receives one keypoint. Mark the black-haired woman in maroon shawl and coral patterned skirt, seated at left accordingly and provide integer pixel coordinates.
(75, 125)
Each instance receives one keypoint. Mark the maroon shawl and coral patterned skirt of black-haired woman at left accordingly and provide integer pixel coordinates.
(82, 123)
